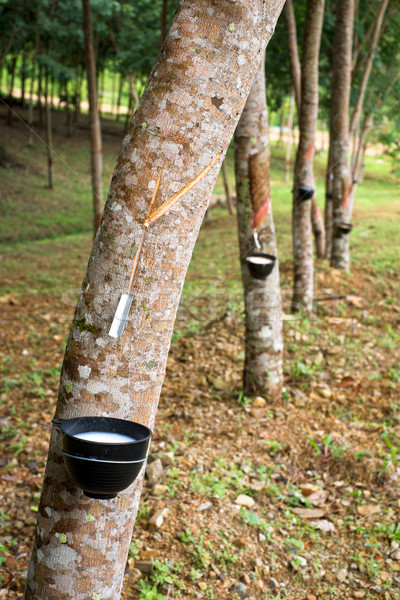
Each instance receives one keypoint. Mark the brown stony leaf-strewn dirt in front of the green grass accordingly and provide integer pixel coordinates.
(297, 499)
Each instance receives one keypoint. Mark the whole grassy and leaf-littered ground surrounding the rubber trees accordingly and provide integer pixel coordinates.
(294, 499)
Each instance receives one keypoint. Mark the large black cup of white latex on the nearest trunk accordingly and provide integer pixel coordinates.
(102, 469)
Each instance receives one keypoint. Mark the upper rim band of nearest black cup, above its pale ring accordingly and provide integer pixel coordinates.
(135, 450)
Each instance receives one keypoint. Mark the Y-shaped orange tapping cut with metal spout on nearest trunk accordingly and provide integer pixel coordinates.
(121, 314)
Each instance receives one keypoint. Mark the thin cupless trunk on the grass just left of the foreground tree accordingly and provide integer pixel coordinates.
(95, 129)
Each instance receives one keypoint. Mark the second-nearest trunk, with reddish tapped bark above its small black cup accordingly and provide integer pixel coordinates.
(263, 340)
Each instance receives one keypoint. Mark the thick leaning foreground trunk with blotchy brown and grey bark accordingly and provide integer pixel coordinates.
(178, 126)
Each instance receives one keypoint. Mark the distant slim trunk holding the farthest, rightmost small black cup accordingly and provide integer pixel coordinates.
(339, 132)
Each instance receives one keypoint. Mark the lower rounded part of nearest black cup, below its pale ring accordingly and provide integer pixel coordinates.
(99, 478)
